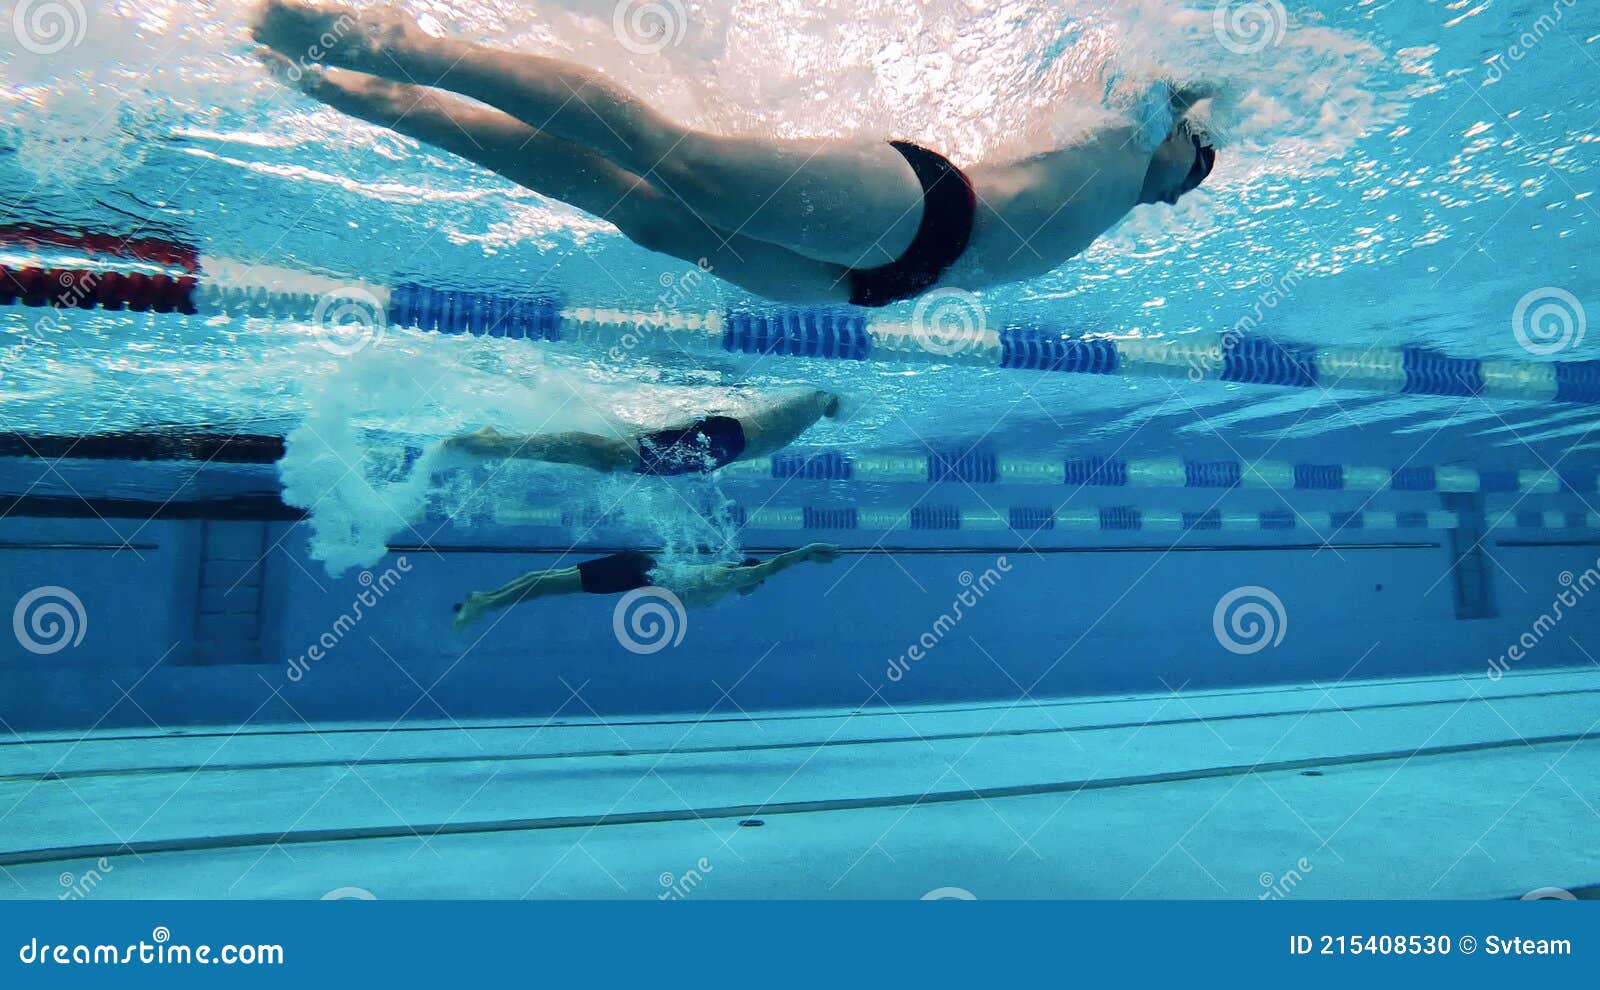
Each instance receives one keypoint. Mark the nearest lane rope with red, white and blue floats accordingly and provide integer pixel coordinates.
(958, 332)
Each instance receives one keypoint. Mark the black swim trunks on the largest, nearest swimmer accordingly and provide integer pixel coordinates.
(950, 209)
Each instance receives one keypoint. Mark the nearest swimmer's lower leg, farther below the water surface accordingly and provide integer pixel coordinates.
(572, 175)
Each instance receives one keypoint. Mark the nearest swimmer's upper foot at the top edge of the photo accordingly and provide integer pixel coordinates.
(335, 36)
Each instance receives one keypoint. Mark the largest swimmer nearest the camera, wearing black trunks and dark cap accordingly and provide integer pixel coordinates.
(794, 222)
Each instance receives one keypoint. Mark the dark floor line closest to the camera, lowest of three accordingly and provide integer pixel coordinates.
(748, 812)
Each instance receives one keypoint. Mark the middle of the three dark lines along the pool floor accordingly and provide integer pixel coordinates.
(705, 751)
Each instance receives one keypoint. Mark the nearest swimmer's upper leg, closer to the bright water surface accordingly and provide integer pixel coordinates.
(854, 206)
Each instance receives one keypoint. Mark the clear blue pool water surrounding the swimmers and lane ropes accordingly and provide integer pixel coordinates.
(1094, 636)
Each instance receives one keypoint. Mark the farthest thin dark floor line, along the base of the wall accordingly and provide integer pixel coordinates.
(503, 727)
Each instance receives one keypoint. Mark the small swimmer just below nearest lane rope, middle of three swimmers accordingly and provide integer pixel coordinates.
(700, 447)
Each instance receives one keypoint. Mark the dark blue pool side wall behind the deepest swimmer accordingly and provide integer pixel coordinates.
(167, 633)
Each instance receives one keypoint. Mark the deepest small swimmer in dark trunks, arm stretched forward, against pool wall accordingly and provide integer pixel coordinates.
(697, 586)
